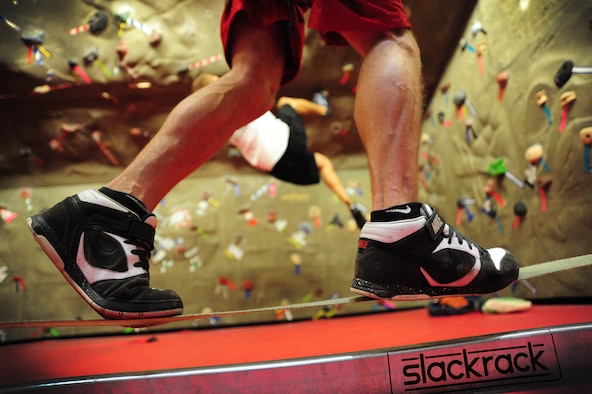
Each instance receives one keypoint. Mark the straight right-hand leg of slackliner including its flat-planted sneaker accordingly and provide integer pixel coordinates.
(407, 251)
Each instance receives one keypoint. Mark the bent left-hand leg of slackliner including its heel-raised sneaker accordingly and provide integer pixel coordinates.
(101, 240)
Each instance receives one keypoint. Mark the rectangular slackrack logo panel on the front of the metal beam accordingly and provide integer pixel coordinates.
(490, 363)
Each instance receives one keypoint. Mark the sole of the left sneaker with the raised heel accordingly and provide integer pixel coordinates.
(106, 313)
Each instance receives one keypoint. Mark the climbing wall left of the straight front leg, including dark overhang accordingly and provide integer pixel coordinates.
(90, 83)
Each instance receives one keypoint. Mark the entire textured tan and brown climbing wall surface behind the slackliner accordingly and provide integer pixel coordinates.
(528, 39)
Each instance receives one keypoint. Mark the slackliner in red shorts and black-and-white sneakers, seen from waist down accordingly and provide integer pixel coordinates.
(101, 240)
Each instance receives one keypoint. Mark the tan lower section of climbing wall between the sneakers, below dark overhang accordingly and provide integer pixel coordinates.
(223, 243)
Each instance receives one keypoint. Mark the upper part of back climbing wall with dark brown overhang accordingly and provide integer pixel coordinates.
(113, 103)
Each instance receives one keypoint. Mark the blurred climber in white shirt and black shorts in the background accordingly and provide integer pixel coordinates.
(277, 145)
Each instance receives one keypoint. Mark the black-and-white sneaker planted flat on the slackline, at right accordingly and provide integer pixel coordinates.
(409, 253)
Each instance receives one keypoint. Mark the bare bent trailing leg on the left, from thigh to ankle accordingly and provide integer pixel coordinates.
(202, 123)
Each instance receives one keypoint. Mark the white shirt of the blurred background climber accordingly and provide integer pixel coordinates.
(263, 141)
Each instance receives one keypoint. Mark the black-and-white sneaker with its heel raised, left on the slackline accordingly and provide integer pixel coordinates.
(101, 242)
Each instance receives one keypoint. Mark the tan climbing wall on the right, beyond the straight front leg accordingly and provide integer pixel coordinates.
(506, 138)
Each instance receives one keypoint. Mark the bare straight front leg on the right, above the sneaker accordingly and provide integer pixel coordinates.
(388, 113)
